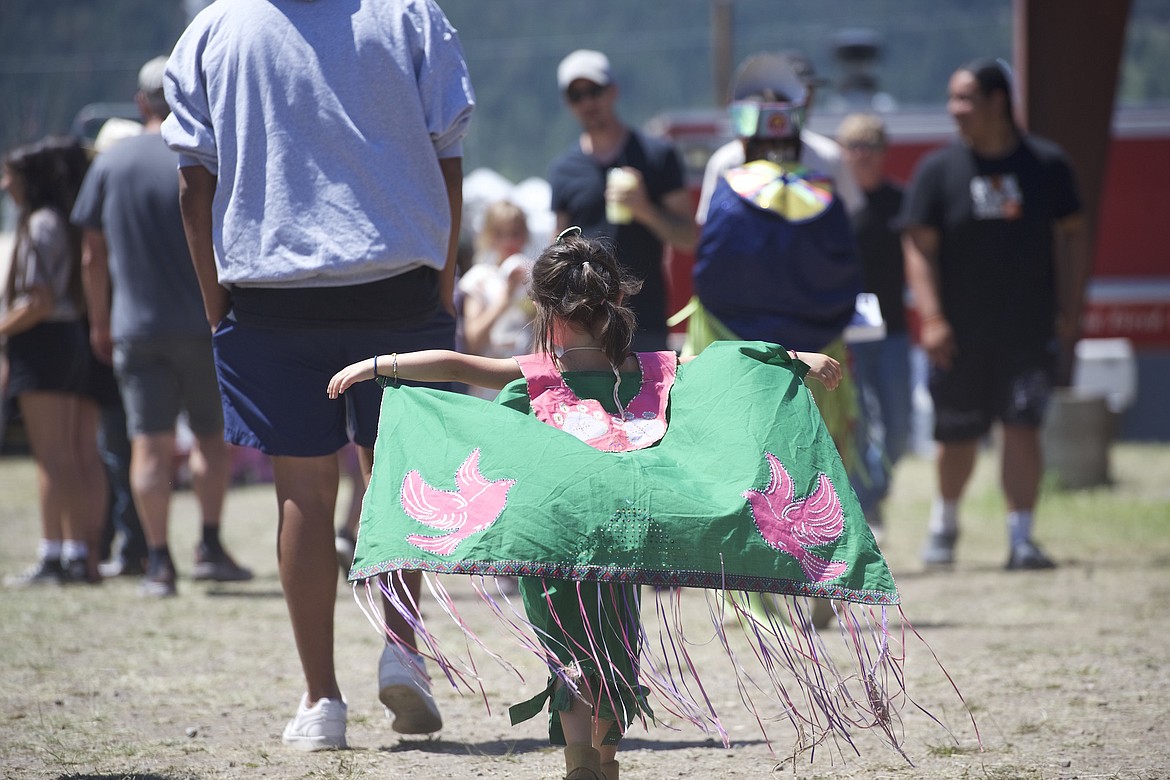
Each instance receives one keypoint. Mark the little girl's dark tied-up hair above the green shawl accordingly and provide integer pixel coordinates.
(579, 281)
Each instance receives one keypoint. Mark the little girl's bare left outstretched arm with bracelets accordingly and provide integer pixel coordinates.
(429, 367)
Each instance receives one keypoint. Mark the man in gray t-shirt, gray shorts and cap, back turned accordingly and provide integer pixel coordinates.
(147, 317)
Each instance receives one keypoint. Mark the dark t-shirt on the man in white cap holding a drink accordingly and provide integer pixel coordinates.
(579, 190)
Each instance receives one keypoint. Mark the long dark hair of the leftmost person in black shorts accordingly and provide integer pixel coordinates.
(52, 171)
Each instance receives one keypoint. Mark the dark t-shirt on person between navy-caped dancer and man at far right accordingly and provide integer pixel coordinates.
(880, 246)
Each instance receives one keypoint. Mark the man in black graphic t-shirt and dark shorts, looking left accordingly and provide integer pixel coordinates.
(997, 263)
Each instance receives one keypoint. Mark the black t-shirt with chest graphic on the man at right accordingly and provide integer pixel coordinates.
(995, 218)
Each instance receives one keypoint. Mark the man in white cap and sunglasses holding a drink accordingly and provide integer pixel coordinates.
(650, 192)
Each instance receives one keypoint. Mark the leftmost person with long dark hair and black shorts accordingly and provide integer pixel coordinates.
(44, 333)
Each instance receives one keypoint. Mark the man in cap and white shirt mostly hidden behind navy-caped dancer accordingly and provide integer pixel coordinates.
(780, 75)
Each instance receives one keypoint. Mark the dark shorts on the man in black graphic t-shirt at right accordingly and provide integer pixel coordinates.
(1009, 383)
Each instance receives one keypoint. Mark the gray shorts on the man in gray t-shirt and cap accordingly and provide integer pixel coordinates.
(160, 378)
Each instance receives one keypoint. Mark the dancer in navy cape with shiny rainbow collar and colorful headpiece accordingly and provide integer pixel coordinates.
(776, 259)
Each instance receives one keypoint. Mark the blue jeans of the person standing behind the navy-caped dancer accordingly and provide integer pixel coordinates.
(883, 372)
